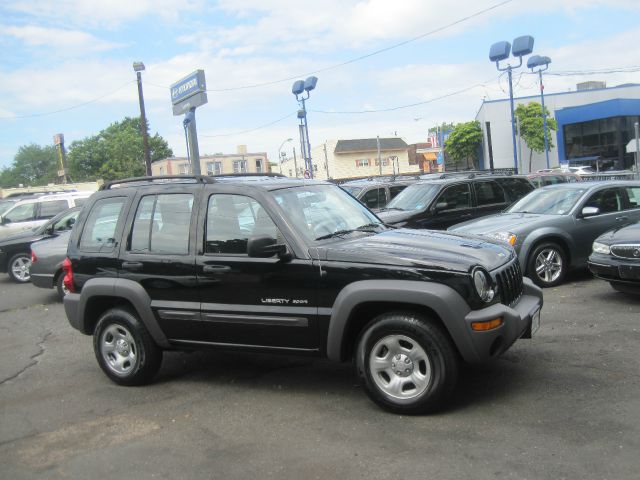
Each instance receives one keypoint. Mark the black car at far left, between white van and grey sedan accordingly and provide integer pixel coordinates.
(15, 250)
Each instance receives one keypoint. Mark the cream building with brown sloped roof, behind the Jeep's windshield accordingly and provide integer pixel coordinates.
(358, 158)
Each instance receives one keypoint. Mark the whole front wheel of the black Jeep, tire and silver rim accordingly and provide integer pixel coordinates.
(427, 355)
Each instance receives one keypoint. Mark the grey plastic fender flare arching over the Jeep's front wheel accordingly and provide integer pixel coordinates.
(443, 300)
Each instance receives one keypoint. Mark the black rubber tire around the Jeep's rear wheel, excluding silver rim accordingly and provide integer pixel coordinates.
(149, 354)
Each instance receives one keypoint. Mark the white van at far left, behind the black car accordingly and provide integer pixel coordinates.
(26, 214)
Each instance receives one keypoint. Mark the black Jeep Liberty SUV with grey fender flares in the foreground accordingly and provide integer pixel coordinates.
(298, 267)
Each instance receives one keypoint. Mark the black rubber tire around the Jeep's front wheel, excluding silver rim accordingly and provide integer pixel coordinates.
(435, 342)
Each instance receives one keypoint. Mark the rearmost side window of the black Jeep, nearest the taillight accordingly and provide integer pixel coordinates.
(98, 234)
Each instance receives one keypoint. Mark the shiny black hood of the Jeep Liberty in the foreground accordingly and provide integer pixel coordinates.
(433, 249)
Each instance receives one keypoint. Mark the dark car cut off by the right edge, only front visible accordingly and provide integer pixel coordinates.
(616, 258)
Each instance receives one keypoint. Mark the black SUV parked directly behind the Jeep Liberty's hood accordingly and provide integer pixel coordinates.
(441, 203)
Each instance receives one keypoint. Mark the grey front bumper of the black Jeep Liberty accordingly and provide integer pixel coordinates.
(517, 320)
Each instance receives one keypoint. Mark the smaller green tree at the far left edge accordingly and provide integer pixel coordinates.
(32, 165)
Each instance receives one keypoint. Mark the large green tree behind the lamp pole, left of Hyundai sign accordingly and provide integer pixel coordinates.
(115, 152)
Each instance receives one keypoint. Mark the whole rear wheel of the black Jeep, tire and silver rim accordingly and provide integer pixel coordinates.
(124, 349)
